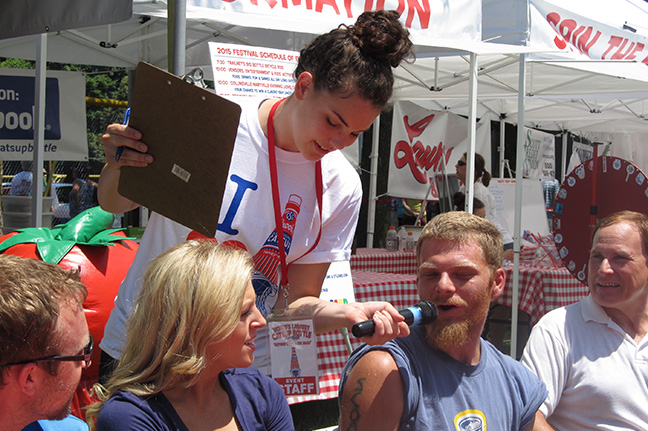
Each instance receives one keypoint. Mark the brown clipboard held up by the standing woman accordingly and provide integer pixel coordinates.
(190, 132)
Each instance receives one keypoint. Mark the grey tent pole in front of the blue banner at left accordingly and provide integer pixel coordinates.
(39, 131)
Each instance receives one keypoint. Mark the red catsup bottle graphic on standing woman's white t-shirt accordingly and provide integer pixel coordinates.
(266, 260)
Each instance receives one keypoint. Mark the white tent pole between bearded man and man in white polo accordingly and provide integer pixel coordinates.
(519, 162)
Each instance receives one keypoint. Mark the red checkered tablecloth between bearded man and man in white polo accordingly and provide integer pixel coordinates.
(542, 289)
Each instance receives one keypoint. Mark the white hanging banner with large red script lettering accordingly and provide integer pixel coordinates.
(420, 137)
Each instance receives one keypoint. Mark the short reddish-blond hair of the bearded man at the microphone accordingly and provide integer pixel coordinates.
(462, 227)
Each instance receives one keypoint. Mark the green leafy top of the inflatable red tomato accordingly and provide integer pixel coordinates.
(88, 228)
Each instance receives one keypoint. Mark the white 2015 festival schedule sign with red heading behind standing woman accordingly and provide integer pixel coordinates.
(244, 71)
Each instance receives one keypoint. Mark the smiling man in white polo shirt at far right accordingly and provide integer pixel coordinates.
(593, 355)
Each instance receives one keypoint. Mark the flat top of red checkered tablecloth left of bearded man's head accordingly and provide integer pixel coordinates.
(381, 260)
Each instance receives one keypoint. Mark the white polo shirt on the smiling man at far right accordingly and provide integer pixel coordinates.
(596, 374)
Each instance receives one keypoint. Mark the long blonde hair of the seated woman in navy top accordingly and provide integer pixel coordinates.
(191, 297)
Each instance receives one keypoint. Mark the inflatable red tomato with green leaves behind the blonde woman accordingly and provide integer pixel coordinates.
(103, 256)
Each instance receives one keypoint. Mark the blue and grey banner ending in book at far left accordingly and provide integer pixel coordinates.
(65, 116)
